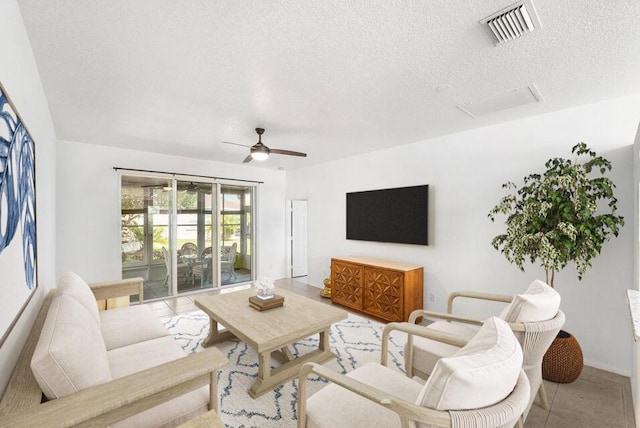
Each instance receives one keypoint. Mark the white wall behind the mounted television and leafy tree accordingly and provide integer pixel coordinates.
(465, 172)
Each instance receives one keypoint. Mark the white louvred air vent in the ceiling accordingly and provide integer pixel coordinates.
(512, 22)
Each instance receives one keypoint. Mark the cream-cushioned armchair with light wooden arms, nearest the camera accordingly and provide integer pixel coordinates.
(482, 385)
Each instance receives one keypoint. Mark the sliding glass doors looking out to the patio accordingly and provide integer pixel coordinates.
(184, 236)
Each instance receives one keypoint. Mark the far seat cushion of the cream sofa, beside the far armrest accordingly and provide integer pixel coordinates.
(130, 324)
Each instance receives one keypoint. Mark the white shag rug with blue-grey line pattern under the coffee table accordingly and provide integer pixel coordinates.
(355, 341)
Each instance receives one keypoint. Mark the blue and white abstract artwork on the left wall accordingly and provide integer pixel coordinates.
(17, 215)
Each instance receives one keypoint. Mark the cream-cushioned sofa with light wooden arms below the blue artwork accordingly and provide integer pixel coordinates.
(81, 350)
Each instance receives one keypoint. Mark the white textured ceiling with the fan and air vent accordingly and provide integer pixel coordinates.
(332, 78)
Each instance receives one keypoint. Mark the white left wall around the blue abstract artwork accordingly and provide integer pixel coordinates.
(19, 76)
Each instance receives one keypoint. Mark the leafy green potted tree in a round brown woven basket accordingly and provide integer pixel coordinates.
(563, 215)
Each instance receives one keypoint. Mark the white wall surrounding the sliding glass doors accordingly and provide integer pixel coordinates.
(88, 206)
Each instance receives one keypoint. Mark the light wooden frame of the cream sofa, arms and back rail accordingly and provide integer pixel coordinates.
(107, 403)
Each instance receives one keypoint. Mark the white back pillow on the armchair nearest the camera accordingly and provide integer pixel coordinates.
(480, 374)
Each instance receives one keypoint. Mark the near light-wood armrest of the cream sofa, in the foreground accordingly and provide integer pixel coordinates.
(107, 403)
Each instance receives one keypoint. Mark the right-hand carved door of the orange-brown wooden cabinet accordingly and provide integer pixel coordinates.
(383, 293)
